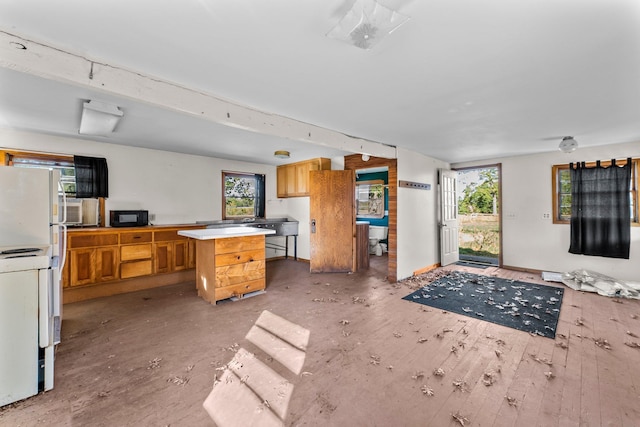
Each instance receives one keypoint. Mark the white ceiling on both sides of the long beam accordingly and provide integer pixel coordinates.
(461, 80)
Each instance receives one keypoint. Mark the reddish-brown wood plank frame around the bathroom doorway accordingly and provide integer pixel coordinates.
(354, 162)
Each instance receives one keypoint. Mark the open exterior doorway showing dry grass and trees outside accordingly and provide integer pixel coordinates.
(480, 221)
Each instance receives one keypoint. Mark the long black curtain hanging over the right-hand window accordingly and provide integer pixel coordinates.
(600, 210)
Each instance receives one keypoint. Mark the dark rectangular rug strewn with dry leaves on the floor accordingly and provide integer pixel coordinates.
(525, 306)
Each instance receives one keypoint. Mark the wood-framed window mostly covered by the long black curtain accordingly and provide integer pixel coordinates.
(562, 192)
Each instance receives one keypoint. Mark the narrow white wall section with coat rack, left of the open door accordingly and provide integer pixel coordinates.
(418, 240)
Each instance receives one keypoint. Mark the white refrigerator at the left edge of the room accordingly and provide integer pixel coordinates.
(32, 249)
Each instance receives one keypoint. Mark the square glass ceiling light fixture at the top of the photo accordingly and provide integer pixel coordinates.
(366, 23)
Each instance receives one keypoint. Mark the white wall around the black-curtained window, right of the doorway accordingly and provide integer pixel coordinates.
(529, 241)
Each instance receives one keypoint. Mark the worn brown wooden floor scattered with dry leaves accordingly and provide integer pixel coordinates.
(150, 358)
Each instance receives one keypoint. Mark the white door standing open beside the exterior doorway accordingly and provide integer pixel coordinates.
(448, 217)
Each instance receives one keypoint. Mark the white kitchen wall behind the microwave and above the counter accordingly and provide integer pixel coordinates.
(176, 188)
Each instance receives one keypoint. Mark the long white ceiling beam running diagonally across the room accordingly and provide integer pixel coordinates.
(28, 56)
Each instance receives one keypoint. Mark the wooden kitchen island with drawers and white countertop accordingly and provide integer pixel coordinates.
(230, 262)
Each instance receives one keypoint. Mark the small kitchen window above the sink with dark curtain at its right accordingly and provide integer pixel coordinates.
(243, 195)
